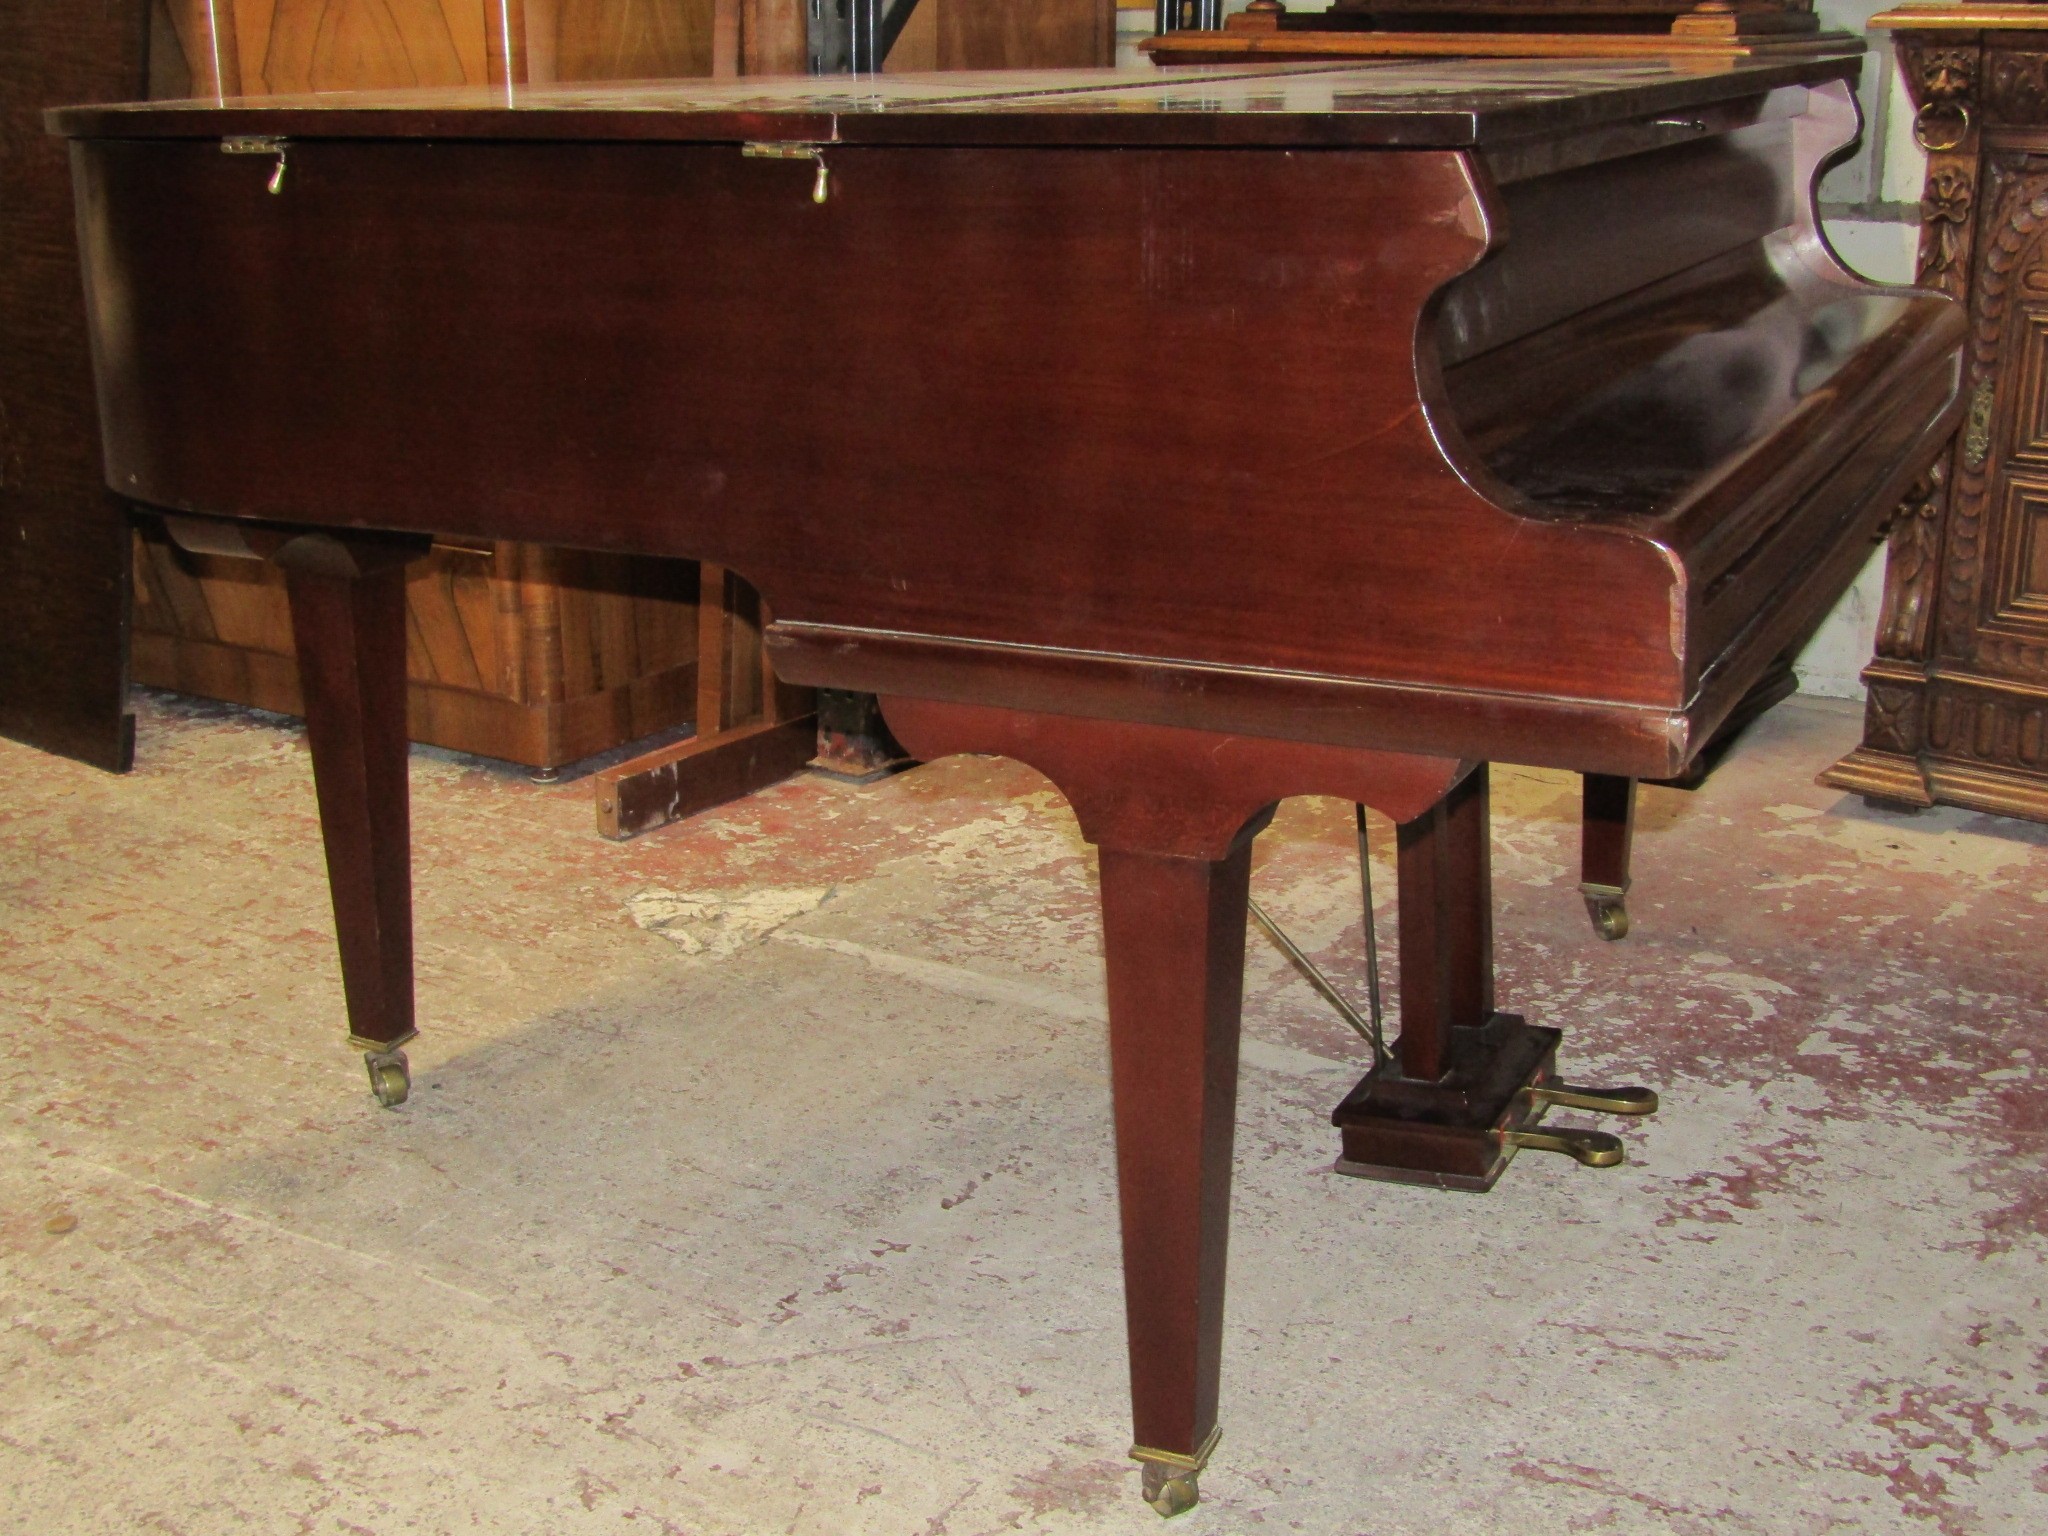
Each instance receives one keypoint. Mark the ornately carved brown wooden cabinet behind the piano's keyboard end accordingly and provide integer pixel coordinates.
(1959, 689)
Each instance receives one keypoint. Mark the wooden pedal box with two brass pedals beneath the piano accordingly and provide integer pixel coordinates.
(1461, 1134)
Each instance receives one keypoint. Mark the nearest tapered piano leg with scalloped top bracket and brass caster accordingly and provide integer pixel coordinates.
(1175, 814)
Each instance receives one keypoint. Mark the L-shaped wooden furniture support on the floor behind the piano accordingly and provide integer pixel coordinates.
(753, 730)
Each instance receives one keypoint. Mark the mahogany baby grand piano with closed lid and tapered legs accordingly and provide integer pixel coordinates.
(1195, 439)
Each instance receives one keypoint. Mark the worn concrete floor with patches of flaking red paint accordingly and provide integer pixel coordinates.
(759, 1175)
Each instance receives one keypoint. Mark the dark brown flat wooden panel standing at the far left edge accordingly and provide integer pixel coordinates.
(65, 544)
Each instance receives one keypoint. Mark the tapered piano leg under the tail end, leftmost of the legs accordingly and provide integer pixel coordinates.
(349, 622)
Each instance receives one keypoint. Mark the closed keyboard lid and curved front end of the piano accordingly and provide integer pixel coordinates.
(1736, 394)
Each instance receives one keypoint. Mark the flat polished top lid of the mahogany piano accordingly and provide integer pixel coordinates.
(1422, 103)
